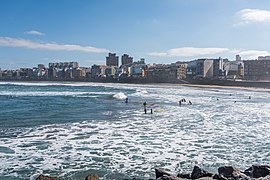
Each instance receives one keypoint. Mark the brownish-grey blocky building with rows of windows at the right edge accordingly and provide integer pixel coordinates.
(257, 69)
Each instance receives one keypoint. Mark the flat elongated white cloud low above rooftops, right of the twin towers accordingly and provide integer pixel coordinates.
(189, 52)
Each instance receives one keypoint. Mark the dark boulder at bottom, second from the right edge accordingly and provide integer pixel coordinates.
(229, 172)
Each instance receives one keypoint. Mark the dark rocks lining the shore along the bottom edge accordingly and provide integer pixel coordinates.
(260, 172)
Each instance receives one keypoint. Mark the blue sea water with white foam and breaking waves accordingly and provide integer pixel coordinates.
(71, 130)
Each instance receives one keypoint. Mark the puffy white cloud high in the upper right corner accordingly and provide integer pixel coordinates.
(253, 15)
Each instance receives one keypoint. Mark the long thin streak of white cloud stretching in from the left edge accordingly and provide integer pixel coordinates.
(23, 43)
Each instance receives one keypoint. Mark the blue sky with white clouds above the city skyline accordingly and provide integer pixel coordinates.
(161, 31)
